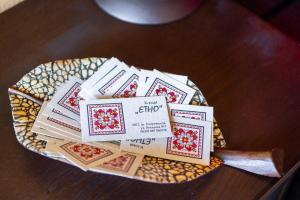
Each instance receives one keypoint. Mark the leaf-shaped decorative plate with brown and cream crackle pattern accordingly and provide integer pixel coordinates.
(27, 95)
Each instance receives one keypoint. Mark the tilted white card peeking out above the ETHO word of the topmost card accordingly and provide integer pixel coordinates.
(159, 84)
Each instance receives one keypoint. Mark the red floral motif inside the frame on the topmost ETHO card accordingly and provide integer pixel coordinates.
(106, 118)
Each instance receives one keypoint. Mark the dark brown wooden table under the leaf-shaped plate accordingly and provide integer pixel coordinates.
(247, 70)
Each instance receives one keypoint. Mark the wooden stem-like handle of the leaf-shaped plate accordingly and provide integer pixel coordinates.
(266, 163)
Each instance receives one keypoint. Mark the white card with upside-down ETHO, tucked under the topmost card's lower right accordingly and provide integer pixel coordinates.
(190, 142)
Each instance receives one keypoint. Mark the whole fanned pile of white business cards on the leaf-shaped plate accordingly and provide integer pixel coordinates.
(110, 121)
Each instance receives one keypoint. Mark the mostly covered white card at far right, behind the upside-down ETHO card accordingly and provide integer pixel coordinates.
(204, 113)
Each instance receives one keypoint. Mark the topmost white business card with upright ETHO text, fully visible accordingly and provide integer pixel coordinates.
(124, 118)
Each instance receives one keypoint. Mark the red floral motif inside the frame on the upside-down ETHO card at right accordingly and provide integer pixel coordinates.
(185, 139)
